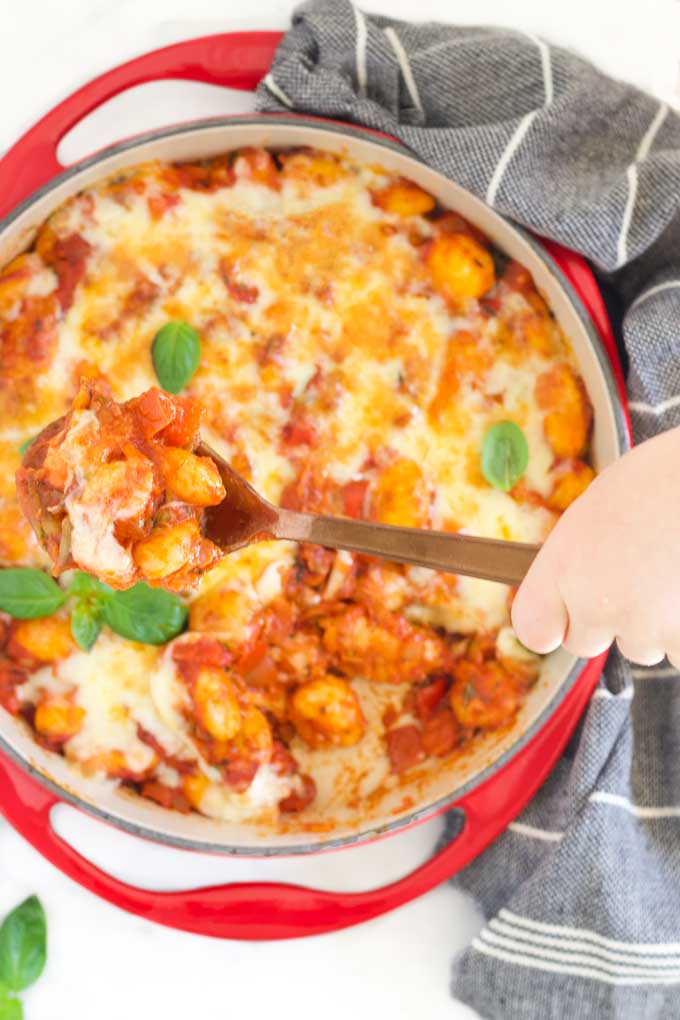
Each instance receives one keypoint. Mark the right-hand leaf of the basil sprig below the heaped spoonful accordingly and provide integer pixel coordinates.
(145, 615)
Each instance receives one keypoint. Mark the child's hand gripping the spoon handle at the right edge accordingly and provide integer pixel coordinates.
(611, 569)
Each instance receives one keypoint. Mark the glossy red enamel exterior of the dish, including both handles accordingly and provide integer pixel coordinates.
(271, 910)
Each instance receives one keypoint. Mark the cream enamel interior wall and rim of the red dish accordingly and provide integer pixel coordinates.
(441, 782)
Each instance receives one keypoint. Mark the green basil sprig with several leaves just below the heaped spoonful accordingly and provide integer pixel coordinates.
(145, 615)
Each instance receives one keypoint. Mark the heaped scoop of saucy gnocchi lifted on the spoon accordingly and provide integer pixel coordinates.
(118, 491)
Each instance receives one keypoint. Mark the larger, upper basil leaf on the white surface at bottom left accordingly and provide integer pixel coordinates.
(23, 945)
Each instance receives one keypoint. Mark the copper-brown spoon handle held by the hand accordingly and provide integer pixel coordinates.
(461, 554)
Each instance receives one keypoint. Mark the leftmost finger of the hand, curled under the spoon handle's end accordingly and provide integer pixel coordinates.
(539, 615)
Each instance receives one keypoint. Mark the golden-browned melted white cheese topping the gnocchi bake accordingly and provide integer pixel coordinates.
(312, 298)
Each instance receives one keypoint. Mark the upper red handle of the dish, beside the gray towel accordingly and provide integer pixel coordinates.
(238, 61)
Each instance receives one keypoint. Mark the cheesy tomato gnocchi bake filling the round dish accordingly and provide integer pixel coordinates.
(357, 350)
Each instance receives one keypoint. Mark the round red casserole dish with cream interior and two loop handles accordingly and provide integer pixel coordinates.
(493, 785)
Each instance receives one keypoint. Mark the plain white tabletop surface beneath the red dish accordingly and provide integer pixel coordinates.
(103, 963)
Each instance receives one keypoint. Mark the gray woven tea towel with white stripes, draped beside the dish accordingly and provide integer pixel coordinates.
(582, 895)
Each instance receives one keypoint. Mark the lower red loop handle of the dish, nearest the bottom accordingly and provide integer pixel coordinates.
(272, 910)
